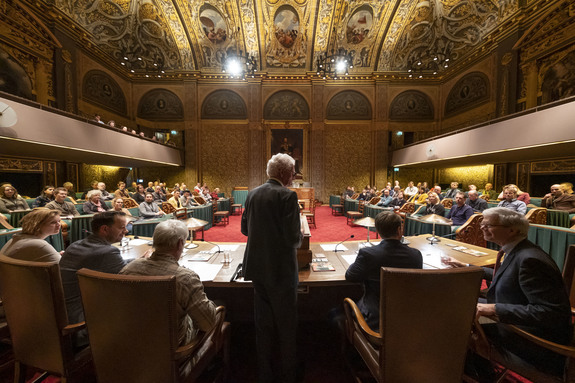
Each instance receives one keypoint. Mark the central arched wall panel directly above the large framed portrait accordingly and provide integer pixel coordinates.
(286, 105)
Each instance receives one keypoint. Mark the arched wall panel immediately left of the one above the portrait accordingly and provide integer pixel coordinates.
(161, 105)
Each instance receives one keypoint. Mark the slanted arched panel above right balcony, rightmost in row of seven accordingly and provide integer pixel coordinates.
(470, 91)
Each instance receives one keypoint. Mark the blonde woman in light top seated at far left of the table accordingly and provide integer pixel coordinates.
(29, 245)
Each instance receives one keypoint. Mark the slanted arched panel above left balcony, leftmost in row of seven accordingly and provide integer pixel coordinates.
(100, 89)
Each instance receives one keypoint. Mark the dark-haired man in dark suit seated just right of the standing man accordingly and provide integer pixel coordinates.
(390, 252)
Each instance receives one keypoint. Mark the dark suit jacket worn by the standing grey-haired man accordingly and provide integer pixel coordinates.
(271, 221)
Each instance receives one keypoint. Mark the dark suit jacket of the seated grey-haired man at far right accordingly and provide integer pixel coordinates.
(529, 292)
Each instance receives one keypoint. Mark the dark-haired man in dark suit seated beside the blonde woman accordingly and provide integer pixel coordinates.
(94, 252)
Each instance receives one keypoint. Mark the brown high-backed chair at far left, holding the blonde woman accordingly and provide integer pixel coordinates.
(35, 309)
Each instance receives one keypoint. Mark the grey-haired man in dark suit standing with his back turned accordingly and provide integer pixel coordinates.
(271, 222)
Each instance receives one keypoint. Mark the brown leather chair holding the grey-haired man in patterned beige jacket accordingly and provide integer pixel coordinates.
(133, 326)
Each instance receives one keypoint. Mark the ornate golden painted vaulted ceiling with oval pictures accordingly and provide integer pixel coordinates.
(283, 36)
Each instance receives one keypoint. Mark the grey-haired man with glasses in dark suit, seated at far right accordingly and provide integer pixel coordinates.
(527, 290)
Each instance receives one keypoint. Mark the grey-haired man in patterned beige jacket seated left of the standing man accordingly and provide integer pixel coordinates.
(195, 311)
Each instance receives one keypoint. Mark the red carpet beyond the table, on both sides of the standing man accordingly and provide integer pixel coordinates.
(329, 229)
